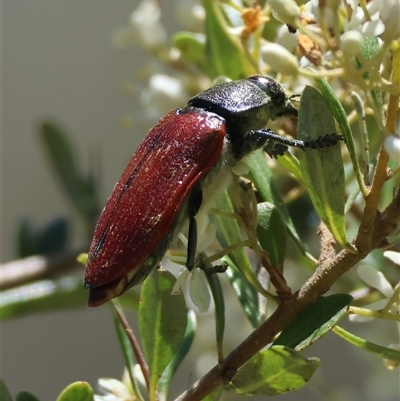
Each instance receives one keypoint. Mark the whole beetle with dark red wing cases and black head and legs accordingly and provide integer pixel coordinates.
(182, 165)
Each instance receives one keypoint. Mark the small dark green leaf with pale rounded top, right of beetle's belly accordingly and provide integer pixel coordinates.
(271, 233)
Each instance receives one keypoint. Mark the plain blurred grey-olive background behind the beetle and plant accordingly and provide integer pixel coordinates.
(58, 62)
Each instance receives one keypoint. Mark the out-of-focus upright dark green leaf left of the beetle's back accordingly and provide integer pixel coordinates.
(80, 189)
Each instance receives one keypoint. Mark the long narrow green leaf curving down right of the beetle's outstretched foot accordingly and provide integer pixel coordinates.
(340, 116)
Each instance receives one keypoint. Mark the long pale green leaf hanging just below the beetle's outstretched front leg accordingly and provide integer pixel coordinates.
(263, 179)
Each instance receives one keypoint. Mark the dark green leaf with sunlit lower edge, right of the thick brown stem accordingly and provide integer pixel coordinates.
(314, 321)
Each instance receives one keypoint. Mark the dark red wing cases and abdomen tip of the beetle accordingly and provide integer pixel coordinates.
(132, 232)
